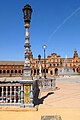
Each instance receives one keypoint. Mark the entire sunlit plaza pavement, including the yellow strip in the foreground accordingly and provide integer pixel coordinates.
(63, 101)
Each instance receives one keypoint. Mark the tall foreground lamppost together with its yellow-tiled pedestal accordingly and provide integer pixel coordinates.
(27, 82)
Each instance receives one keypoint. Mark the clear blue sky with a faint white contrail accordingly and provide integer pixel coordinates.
(55, 23)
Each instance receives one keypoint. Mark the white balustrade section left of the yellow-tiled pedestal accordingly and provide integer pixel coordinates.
(10, 93)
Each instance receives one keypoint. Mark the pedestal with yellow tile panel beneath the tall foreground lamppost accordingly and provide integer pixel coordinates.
(27, 93)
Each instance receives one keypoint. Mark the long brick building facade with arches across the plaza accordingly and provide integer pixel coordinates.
(54, 63)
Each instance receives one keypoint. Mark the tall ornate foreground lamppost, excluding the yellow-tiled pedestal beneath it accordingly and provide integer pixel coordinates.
(27, 11)
